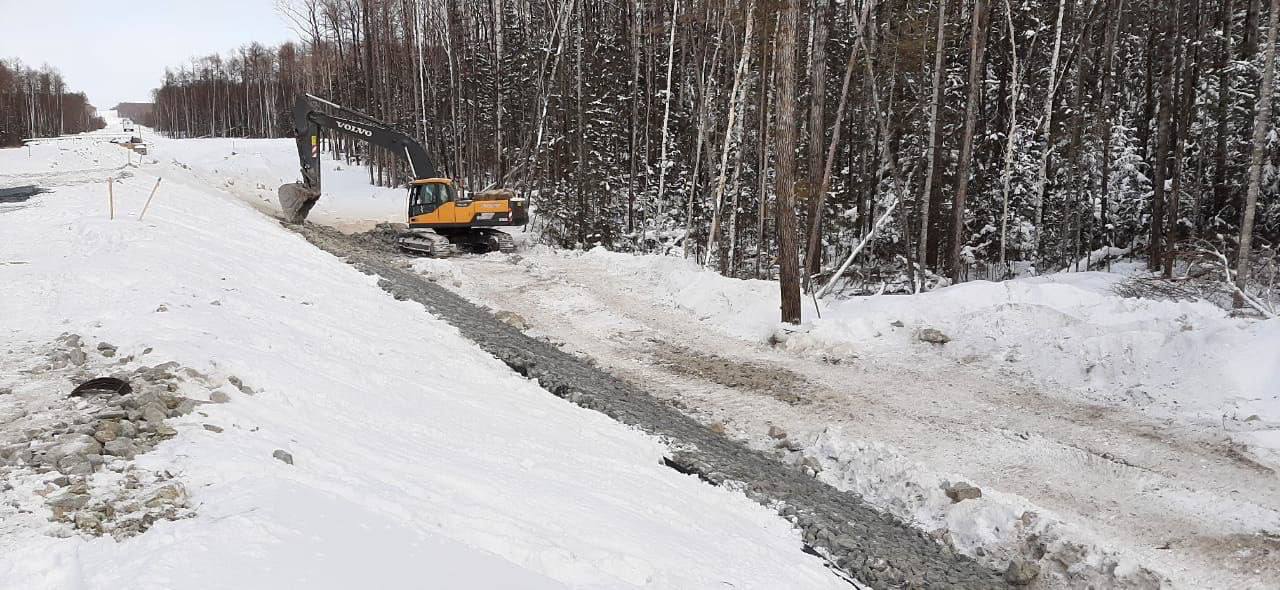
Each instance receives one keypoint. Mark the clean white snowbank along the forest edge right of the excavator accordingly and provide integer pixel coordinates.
(1068, 331)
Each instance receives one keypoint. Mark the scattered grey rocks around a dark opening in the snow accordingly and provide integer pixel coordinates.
(74, 451)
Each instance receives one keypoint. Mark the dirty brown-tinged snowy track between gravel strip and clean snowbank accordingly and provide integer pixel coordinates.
(1105, 491)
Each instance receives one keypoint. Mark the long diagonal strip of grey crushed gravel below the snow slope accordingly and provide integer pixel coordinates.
(874, 547)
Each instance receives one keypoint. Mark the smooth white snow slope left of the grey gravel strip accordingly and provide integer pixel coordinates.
(417, 459)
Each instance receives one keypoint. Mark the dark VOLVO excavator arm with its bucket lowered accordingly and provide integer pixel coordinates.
(298, 199)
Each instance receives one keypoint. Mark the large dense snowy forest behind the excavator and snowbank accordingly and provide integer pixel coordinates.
(935, 141)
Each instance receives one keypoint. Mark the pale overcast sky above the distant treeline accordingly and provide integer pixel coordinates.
(118, 51)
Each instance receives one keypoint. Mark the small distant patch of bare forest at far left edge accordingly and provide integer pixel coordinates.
(36, 103)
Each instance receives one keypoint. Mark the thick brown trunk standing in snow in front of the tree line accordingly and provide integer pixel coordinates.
(789, 263)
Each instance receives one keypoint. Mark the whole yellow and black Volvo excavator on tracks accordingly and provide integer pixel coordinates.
(441, 223)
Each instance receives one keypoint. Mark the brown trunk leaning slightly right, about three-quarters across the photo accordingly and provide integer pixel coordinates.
(977, 51)
